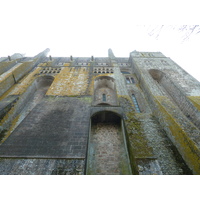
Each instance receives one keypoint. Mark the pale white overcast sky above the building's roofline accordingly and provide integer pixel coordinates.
(90, 27)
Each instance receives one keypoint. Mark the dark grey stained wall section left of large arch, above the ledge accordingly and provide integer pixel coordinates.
(54, 129)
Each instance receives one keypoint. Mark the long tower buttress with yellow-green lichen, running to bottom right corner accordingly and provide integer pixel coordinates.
(155, 96)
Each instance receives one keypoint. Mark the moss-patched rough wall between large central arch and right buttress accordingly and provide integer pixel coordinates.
(150, 144)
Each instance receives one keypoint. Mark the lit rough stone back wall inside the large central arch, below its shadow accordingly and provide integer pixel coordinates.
(107, 151)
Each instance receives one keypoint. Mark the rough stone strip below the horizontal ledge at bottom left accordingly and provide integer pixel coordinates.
(16, 166)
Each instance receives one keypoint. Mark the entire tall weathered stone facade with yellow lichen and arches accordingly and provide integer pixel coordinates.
(98, 115)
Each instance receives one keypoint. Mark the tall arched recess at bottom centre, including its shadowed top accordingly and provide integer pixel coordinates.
(107, 151)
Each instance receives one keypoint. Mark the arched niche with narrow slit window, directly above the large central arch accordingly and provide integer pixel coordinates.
(105, 91)
